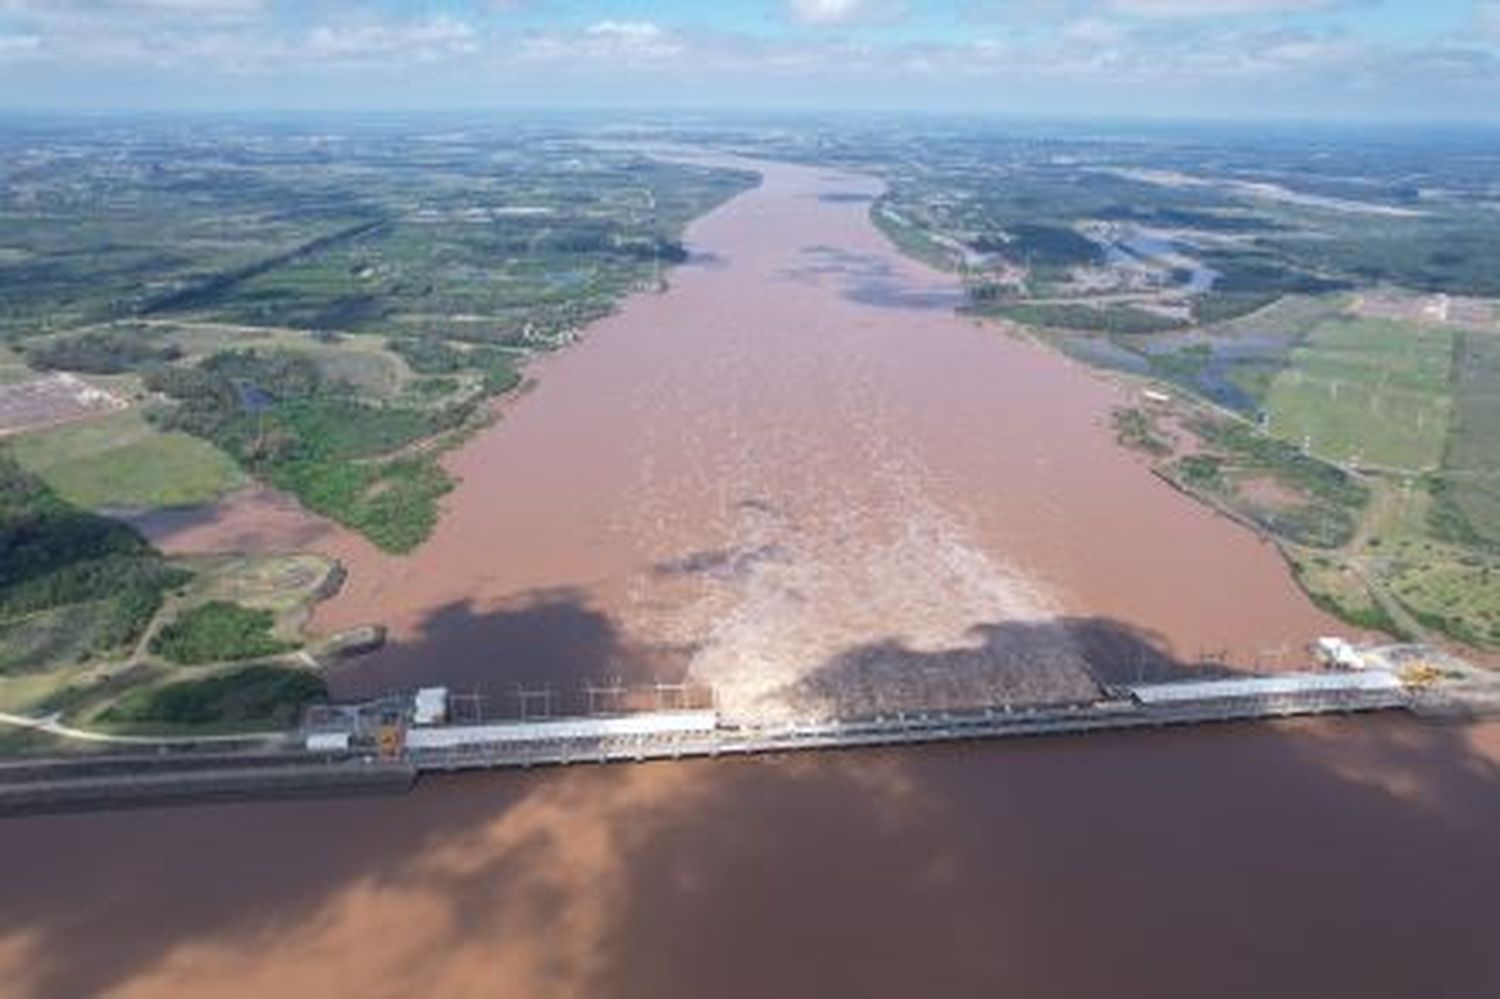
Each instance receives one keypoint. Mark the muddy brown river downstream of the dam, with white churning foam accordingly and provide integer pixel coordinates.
(800, 478)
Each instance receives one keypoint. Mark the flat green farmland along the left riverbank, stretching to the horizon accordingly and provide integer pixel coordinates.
(413, 272)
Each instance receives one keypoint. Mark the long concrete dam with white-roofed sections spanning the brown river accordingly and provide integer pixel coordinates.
(664, 736)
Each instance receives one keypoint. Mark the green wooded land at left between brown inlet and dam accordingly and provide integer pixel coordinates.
(94, 619)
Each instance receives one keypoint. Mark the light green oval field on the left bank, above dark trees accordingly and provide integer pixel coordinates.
(122, 461)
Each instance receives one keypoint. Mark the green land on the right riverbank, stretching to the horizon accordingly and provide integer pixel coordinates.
(1321, 317)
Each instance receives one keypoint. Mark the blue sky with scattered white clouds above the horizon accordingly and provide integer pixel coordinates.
(1342, 59)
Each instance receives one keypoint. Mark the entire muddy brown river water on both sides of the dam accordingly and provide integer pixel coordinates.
(799, 478)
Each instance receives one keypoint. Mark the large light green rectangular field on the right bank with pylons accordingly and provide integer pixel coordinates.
(1367, 392)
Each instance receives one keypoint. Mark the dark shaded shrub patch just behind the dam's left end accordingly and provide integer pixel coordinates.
(272, 697)
